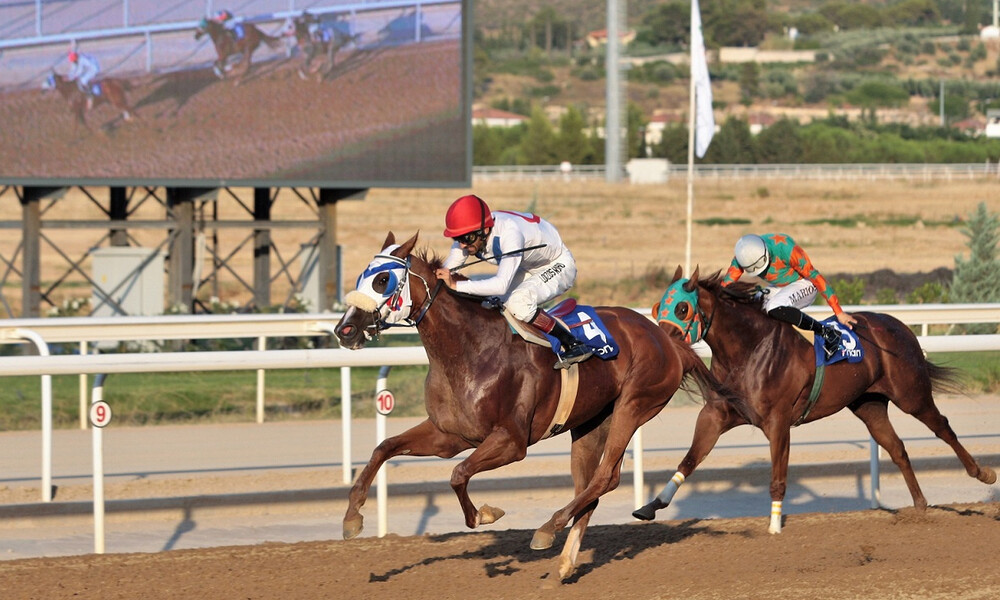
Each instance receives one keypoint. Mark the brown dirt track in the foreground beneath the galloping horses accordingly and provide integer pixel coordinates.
(949, 551)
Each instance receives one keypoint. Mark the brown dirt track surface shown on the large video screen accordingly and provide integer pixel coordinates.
(190, 126)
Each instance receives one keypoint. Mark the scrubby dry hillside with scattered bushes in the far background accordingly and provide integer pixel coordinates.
(915, 60)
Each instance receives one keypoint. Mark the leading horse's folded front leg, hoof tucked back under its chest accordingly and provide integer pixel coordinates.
(500, 448)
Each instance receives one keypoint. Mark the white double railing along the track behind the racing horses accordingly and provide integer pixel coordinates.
(237, 326)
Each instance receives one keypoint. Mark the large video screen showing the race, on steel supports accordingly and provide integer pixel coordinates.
(263, 93)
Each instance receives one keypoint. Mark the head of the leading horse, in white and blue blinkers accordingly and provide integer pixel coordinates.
(382, 298)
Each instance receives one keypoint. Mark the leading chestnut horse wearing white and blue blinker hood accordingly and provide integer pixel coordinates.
(489, 390)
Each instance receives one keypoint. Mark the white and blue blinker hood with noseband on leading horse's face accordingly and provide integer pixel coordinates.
(384, 288)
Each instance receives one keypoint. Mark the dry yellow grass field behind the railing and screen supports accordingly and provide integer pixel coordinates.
(621, 235)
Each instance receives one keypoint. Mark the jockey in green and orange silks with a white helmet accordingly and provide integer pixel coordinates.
(792, 282)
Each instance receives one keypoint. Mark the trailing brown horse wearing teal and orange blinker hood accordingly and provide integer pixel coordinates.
(773, 366)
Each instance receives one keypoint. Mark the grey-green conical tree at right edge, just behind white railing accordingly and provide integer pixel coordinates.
(978, 278)
